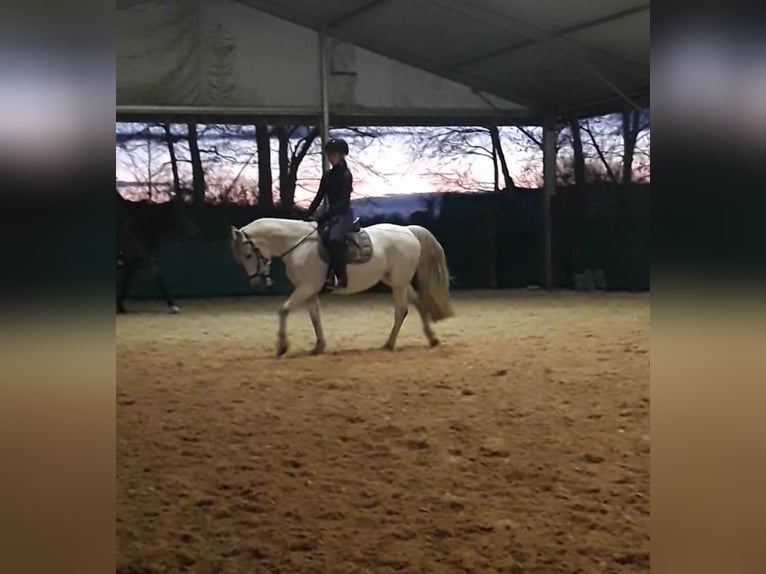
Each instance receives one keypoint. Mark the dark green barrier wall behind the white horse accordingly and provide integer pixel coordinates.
(491, 240)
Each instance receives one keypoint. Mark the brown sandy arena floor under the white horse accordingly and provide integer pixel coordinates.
(520, 445)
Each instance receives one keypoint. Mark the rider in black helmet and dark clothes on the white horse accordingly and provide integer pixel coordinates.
(336, 186)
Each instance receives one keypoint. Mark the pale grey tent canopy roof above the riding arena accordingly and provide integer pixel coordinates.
(390, 61)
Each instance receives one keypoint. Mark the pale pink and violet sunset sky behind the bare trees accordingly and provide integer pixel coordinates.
(390, 164)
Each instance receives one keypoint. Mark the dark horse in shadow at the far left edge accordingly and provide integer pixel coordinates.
(141, 228)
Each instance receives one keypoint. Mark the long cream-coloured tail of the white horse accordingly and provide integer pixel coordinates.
(432, 276)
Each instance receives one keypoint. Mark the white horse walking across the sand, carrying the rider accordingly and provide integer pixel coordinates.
(399, 254)
